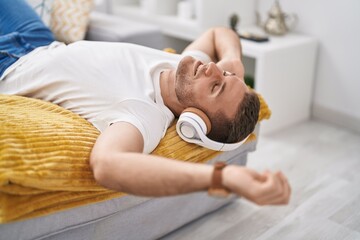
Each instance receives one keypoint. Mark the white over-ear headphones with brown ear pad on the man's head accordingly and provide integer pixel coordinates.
(193, 125)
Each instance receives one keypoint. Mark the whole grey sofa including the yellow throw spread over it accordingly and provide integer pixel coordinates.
(32, 207)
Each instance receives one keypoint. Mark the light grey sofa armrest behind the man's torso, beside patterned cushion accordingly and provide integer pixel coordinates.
(105, 27)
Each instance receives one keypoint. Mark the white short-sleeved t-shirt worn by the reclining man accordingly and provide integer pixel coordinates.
(102, 82)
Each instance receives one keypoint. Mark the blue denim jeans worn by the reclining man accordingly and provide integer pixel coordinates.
(21, 31)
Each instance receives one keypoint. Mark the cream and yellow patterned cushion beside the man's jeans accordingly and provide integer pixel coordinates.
(69, 19)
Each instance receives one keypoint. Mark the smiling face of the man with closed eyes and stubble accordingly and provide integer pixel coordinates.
(208, 87)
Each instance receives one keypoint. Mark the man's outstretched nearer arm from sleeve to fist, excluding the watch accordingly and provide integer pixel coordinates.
(118, 164)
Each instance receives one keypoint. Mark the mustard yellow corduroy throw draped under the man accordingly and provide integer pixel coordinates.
(44, 158)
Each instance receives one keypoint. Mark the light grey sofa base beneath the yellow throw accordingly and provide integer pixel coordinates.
(127, 217)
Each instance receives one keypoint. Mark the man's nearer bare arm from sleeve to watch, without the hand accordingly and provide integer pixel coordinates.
(118, 163)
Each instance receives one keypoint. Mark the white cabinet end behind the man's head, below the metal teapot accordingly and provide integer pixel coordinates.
(283, 71)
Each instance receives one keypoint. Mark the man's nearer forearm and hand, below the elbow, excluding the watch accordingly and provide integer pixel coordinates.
(149, 175)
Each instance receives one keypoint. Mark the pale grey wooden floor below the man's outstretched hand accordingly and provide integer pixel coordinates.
(322, 163)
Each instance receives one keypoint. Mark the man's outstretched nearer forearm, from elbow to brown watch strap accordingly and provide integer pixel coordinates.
(149, 175)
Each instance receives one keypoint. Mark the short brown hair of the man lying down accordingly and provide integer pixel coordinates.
(234, 130)
